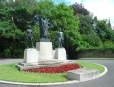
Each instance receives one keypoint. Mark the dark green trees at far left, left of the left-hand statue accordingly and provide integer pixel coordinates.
(13, 21)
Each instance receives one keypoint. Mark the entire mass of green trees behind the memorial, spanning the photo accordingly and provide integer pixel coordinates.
(81, 31)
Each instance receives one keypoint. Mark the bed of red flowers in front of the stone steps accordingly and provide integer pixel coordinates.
(59, 69)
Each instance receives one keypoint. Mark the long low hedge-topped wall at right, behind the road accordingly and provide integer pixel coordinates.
(104, 52)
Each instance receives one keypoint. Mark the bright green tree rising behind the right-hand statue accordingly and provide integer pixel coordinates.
(64, 18)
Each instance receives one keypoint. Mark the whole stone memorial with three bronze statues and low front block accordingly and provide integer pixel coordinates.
(44, 56)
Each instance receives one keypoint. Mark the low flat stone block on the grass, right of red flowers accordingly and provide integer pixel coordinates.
(82, 74)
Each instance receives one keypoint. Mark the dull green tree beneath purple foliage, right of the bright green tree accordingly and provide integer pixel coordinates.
(87, 31)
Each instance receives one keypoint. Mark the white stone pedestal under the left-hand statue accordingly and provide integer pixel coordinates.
(31, 55)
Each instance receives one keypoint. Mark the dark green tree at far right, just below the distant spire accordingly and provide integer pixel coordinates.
(104, 31)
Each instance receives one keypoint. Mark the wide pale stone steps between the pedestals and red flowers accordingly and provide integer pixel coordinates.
(43, 63)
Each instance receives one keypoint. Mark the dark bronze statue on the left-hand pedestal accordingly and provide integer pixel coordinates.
(29, 36)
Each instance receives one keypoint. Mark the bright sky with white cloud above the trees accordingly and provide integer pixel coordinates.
(103, 9)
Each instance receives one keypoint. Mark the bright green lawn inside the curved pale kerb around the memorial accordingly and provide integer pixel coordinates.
(9, 72)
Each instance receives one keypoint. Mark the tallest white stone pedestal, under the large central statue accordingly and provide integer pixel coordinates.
(45, 50)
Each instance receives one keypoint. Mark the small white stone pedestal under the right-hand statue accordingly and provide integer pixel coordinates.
(60, 54)
